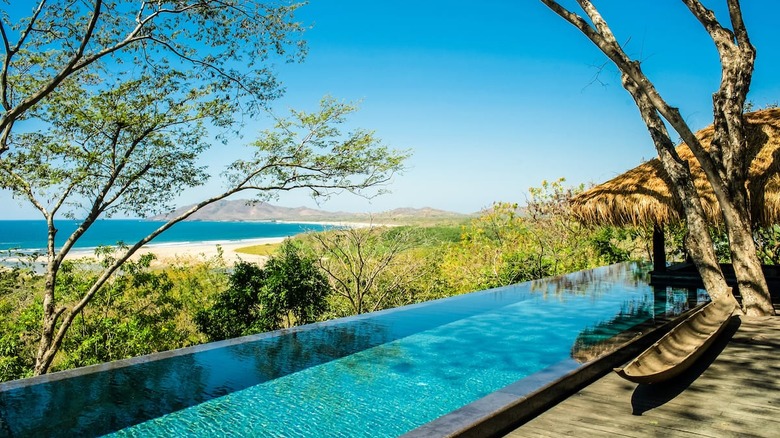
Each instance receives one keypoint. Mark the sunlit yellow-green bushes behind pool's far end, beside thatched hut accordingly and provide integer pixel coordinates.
(509, 244)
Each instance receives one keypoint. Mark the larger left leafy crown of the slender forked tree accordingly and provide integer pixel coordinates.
(131, 148)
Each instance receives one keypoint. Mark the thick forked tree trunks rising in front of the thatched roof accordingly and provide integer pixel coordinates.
(727, 161)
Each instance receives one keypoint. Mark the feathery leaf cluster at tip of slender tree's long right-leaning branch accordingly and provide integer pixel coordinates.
(309, 151)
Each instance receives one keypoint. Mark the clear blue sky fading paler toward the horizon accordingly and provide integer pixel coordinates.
(494, 97)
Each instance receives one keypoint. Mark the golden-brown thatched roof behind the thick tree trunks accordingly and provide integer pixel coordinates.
(643, 196)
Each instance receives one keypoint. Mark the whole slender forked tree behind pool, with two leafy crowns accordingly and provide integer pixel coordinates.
(132, 148)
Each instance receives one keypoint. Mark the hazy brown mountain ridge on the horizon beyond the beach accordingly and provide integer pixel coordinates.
(240, 210)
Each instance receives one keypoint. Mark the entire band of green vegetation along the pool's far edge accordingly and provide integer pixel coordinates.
(141, 309)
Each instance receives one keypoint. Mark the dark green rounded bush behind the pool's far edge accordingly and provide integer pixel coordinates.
(289, 290)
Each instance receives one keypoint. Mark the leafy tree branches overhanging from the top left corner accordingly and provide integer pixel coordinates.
(217, 46)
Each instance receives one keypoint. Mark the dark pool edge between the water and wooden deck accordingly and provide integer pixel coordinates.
(515, 404)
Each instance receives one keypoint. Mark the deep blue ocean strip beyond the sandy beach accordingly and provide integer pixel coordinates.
(30, 235)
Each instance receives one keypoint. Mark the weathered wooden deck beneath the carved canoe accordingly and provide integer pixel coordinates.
(732, 391)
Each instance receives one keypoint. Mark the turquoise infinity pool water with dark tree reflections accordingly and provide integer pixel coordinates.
(378, 374)
